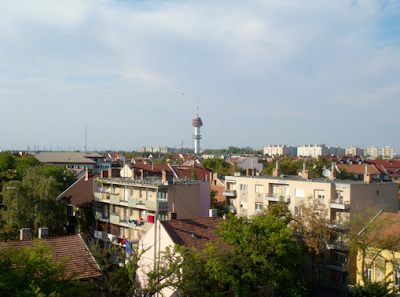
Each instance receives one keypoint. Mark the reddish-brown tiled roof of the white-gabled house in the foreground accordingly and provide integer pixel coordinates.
(193, 233)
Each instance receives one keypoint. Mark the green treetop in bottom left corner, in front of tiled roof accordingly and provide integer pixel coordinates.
(30, 271)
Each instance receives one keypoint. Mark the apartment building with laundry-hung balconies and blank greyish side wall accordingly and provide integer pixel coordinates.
(126, 208)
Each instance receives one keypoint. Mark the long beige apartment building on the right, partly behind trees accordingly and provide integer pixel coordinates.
(249, 195)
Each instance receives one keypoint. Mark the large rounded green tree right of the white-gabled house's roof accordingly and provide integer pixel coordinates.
(263, 253)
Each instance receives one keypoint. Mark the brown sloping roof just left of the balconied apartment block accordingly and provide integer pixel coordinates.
(80, 192)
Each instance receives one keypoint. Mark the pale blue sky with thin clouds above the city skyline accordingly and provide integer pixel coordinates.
(124, 74)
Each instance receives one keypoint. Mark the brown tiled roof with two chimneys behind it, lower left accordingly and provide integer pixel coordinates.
(72, 248)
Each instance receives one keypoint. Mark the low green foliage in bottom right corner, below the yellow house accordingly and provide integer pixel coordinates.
(372, 289)
